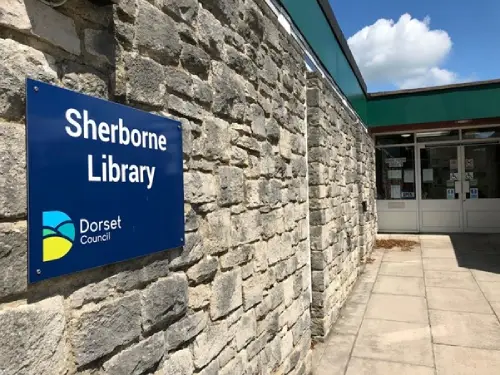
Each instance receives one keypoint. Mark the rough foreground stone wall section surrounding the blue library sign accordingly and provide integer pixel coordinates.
(237, 298)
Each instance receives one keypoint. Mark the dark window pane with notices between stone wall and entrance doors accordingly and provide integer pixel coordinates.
(396, 172)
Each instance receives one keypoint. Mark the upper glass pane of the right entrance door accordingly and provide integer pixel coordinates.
(482, 166)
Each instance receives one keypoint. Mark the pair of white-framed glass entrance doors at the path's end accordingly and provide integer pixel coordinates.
(459, 188)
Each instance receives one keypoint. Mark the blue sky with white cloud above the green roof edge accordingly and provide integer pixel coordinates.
(471, 50)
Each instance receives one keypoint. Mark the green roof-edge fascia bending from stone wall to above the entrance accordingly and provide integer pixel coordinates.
(317, 23)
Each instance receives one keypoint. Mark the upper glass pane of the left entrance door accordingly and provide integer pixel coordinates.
(438, 167)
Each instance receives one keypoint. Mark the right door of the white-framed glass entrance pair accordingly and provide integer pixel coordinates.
(481, 187)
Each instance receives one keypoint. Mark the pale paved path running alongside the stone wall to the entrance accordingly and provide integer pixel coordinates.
(430, 311)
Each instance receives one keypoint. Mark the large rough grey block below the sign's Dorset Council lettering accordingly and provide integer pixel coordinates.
(101, 329)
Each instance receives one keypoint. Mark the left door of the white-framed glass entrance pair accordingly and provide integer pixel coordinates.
(440, 189)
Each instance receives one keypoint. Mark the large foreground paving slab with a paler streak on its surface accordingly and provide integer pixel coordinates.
(395, 341)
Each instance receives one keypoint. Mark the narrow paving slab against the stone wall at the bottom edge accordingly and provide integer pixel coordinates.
(336, 355)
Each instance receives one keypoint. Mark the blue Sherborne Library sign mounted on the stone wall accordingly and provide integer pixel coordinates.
(105, 182)
